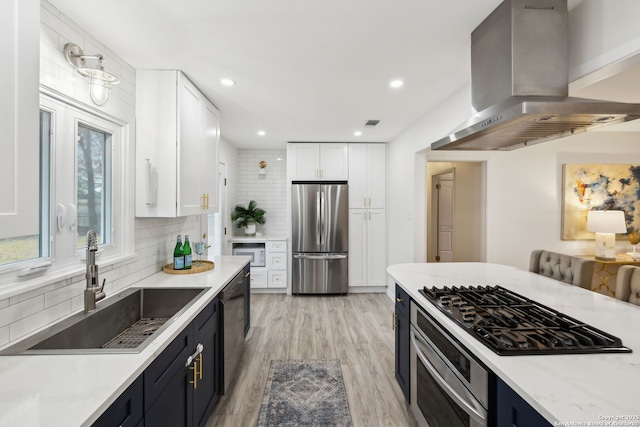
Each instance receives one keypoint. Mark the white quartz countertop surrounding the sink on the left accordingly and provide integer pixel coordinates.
(74, 390)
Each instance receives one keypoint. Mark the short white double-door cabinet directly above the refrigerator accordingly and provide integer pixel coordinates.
(318, 162)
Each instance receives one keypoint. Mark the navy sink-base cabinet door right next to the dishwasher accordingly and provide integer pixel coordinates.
(206, 332)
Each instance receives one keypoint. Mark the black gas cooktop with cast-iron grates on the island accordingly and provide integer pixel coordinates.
(511, 324)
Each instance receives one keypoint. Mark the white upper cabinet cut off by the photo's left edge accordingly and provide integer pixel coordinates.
(19, 100)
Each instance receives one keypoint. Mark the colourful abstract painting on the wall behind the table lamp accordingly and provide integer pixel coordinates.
(598, 186)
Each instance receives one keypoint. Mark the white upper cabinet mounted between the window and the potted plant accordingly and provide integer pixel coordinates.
(177, 139)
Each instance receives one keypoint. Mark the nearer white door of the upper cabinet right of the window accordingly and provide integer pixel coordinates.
(189, 134)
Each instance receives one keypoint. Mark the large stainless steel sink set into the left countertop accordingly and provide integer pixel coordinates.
(124, 323)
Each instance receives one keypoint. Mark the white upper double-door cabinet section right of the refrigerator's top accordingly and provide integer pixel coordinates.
(367, 175)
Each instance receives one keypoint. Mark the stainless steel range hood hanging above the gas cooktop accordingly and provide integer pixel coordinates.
(519, 82)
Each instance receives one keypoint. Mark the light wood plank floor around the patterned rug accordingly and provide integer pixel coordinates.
(356, 329)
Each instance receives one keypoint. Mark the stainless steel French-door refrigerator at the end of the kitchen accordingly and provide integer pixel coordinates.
(320, 238)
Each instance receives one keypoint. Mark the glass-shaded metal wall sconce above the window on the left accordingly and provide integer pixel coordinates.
(100, 81)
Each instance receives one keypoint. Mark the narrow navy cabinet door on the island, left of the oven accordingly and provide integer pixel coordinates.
(402, 345)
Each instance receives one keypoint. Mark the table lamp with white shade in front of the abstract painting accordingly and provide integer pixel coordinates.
(606, 224)
